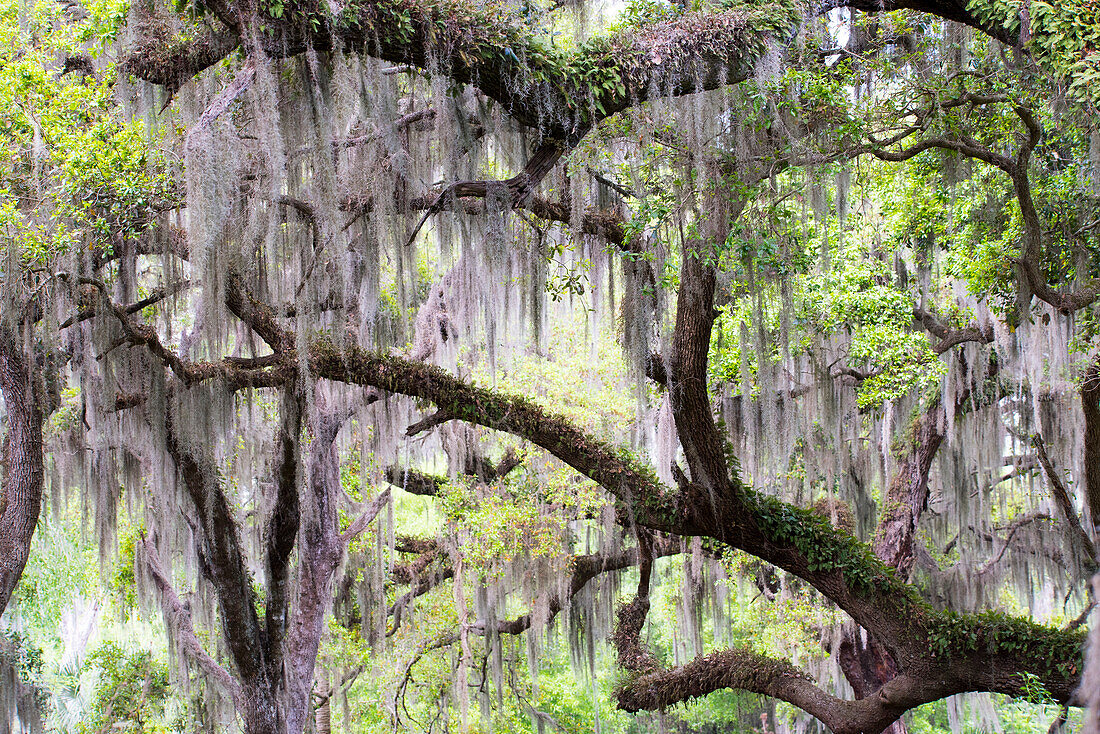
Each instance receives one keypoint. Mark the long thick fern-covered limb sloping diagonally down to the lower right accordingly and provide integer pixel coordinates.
(795, 540)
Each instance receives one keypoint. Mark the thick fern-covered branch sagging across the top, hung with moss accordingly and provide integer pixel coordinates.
(502, 56)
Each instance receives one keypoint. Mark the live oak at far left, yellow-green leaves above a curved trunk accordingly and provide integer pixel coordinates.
(74, 172)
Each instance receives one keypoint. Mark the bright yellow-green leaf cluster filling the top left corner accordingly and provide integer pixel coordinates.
(74, 172)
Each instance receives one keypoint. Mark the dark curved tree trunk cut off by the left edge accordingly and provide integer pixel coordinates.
(21, 488)
